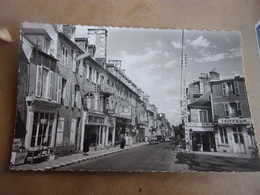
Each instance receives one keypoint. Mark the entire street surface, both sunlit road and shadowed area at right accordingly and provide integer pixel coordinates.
(163, 157)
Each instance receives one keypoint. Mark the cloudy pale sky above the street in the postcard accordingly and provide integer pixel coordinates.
(151, 58)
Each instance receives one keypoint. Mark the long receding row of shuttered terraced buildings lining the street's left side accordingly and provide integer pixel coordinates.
(70, 92)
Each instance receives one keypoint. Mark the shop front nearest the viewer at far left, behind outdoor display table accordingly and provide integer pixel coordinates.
(41, 126)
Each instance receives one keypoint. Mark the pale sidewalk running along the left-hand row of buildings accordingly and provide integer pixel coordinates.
(73, 158)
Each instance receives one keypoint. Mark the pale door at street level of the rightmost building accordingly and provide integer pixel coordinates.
(239, 145)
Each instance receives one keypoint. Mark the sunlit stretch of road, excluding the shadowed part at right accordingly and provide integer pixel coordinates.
(159, 157)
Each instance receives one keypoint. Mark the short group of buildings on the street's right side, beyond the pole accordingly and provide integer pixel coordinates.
(218, 113)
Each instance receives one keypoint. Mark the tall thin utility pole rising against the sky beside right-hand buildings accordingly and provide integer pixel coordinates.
(184, 110)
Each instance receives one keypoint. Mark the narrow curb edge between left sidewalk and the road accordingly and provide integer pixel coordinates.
(49, 168)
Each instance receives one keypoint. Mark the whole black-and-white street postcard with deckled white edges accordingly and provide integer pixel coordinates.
(124, 99)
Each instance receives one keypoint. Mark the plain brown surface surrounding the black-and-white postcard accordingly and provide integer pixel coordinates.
(240, 15)
